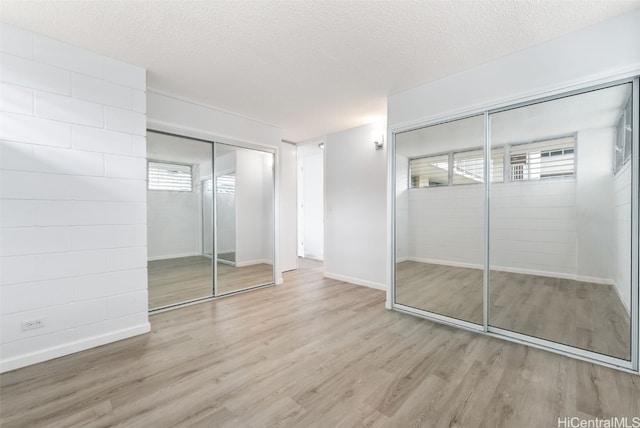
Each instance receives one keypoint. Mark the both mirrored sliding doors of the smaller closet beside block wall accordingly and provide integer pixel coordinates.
(207, 199)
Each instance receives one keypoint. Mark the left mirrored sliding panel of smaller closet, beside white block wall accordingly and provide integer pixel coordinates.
(179, 220)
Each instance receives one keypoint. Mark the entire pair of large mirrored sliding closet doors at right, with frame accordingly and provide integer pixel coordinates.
(519, 222)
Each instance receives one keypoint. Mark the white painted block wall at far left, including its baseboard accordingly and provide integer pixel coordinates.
(73, 197)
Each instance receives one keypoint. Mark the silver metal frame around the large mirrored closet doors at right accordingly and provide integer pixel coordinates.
(571, 351)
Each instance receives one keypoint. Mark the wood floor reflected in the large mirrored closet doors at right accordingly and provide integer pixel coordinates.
(586, 315)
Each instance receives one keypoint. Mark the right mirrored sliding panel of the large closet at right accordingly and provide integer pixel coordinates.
(560, 236)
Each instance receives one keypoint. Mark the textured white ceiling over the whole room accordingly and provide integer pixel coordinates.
(309, 67)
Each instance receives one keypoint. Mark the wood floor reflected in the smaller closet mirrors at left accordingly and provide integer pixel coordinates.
(181, 279)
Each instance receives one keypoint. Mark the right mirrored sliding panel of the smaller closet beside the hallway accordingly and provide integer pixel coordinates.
(244, 195)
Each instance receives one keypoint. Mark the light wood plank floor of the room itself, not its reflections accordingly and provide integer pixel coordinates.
(313, 352)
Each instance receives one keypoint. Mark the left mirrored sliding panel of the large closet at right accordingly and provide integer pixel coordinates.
(439, 219)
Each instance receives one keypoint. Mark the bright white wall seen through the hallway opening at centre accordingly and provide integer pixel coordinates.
(311, 181)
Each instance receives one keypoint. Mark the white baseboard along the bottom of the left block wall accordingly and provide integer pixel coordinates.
(71, 347)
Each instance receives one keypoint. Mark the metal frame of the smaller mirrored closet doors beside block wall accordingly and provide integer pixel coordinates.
(214, 288)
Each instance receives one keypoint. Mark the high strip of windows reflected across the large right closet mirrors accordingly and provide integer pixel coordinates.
(517, 162)
